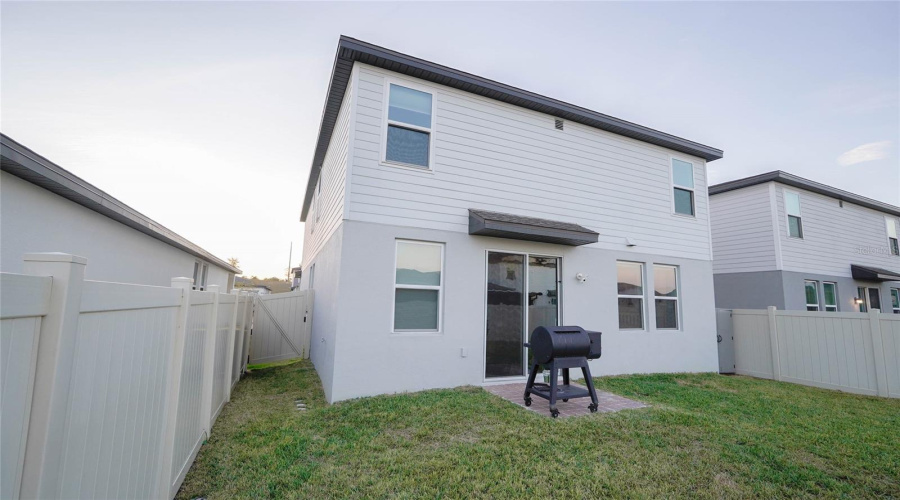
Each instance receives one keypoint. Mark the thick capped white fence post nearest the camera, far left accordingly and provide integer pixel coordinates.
(53, 372)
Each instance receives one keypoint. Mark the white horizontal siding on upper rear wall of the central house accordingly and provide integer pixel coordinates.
(499, 157)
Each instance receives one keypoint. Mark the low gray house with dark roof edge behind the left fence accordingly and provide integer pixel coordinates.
(45, 208)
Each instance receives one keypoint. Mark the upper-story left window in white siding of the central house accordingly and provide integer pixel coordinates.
(409, 127)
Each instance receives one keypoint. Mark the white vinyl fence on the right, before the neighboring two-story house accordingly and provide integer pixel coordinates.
(852, 352)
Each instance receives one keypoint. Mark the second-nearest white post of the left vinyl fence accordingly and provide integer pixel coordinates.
(173, 389)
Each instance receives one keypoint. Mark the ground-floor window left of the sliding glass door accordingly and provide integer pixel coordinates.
(418, 286)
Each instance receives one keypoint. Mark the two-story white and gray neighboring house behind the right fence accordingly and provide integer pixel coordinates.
(785, 241)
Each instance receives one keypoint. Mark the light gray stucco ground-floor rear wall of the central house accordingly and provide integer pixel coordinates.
(369, 359)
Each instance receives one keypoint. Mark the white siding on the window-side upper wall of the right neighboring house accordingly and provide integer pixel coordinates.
(833, 236)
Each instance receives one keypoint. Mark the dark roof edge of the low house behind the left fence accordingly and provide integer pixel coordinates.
(22, 162)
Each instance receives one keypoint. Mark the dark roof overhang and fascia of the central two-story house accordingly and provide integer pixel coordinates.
(351, 50)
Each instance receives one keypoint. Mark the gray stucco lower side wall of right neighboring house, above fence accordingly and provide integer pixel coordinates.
(752, 290)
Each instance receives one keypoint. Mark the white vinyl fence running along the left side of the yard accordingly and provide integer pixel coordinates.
(109, 389)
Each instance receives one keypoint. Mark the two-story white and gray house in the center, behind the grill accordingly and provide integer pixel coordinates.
(448, 215)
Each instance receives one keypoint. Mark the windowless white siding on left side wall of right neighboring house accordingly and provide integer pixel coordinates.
(743, 232)
